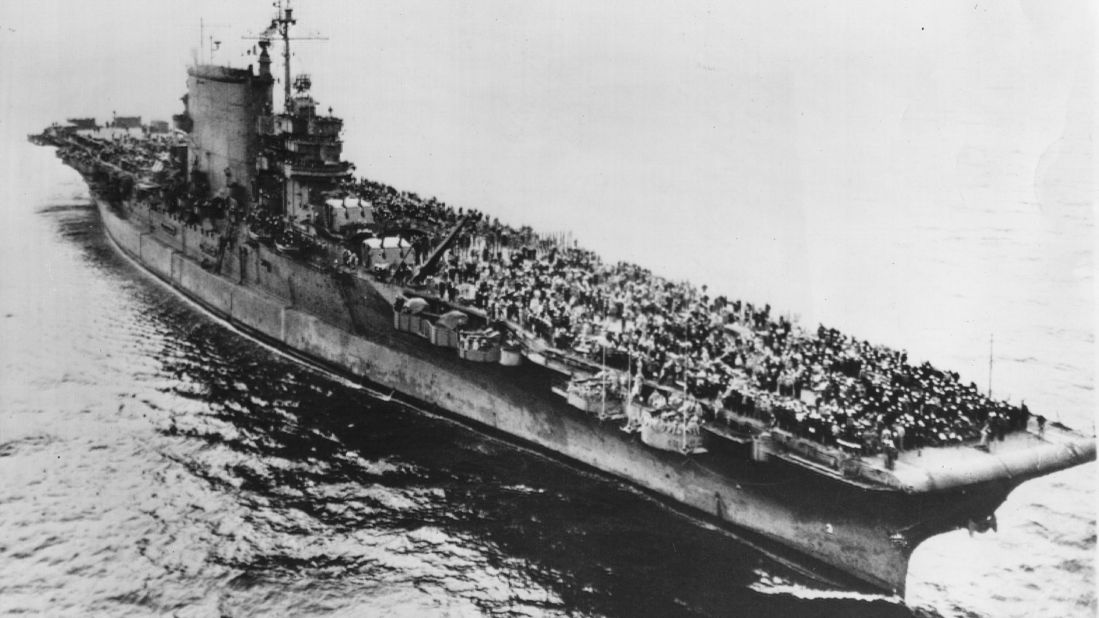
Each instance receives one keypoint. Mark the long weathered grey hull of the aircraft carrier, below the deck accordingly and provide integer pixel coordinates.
(838, 533)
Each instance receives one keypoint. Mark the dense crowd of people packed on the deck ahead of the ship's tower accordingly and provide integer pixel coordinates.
(730, 356)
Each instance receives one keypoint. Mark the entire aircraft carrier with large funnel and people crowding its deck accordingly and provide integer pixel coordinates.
(837, 449)
